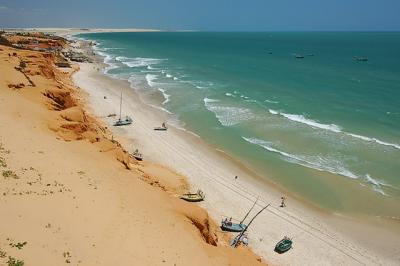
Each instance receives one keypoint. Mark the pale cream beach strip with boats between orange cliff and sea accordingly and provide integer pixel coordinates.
(320, 238)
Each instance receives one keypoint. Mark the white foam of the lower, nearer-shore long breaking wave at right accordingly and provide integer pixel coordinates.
(317, 163)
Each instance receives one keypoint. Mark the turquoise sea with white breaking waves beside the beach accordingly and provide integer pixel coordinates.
(325, 127)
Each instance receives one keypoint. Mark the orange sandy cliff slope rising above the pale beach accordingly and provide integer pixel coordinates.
(70, 194)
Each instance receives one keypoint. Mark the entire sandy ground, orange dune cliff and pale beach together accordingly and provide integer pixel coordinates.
(75, 195)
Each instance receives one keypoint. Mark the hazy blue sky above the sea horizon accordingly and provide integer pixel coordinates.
(204, 14)
